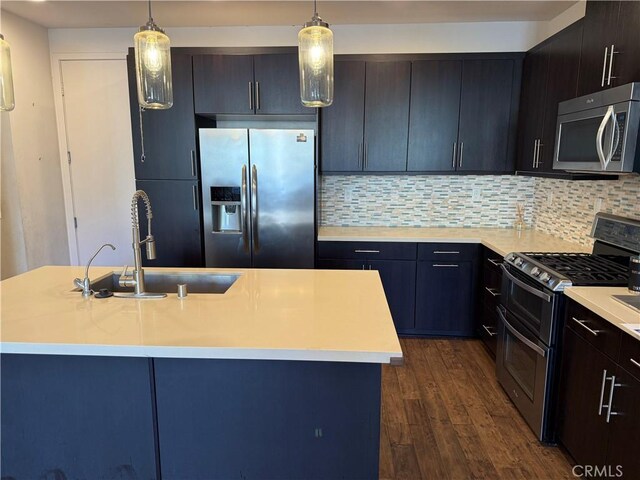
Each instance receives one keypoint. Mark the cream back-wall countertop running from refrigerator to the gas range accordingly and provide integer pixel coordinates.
(500, 240)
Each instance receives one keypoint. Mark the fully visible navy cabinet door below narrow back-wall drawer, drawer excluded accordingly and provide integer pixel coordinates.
(444, 300)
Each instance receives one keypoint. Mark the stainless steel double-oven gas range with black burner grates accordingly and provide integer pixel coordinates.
(532, 313)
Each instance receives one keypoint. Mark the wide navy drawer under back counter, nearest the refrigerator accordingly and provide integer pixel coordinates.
(368, 250)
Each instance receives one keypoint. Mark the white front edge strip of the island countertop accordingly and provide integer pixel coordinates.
(200, 353)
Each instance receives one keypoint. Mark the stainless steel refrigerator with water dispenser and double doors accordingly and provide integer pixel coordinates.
(258, 192)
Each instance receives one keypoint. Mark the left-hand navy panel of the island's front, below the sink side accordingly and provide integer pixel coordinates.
(76, 417)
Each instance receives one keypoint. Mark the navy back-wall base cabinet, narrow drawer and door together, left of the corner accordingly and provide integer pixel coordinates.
(445, 289)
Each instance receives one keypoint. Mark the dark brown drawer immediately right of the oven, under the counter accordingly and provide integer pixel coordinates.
(594, 329)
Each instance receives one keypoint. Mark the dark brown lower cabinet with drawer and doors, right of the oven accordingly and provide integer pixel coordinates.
(599, 420)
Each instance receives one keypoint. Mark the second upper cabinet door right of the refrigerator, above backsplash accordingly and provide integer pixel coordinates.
(386, 116)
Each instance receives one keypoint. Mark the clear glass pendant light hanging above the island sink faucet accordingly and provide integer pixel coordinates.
(153, 66)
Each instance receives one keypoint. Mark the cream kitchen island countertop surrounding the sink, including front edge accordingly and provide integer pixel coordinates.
(315, 315)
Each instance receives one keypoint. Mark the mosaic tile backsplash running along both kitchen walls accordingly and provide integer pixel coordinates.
(559, 207)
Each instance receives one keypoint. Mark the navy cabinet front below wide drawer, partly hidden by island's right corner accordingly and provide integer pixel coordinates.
(398, 279)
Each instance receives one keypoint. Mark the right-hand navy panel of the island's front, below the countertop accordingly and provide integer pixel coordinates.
(239, 419)
